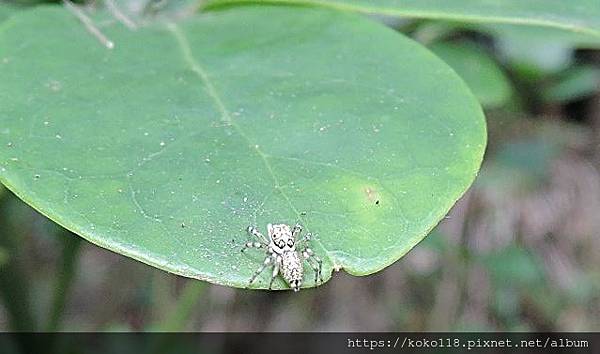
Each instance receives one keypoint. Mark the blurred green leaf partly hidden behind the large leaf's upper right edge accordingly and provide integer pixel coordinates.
(479, 70)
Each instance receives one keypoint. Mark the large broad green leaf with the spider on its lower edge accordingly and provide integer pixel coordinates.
(168, 146)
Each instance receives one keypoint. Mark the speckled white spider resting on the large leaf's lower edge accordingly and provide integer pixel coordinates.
(283, 254)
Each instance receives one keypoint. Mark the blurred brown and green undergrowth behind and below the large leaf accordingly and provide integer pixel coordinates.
(519, 252)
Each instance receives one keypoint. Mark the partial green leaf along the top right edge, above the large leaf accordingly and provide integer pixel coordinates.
(582, 16)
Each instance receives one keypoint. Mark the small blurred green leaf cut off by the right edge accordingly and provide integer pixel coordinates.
(577, 82)
